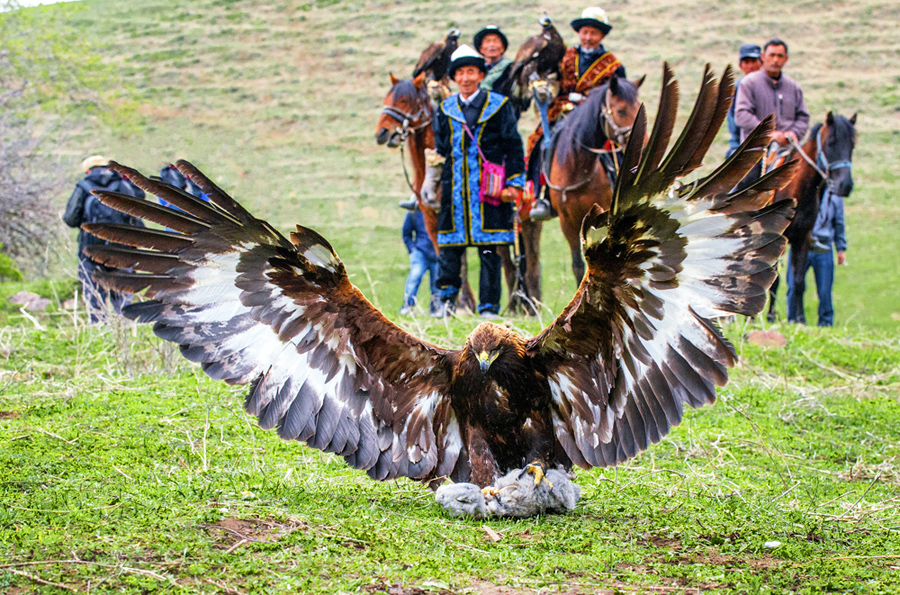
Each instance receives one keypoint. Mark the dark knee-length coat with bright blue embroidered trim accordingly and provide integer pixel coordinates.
(464, 220)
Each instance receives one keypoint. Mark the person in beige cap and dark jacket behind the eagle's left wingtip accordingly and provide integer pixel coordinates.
(85, 207)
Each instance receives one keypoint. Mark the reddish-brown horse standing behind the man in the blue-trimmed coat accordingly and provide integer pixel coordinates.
(406, 117)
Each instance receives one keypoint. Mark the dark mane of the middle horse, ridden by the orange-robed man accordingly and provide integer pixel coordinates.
(581, 129)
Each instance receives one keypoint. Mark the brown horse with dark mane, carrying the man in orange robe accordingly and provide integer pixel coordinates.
(584, 149)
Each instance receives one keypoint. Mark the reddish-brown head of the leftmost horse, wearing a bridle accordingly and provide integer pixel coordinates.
(406, 108)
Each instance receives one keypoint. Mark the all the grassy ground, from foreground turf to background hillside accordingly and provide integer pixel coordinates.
(124, 469)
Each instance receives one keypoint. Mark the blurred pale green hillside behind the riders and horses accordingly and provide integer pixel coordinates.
(278, 103)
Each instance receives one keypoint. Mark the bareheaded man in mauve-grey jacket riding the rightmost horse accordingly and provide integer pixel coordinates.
(770, 91)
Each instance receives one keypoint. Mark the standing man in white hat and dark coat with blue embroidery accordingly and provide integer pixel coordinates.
(473, 126)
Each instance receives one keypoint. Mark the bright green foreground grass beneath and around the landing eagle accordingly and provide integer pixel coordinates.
(124, 469)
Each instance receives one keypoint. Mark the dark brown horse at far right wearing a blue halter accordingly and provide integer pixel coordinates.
(826, 164)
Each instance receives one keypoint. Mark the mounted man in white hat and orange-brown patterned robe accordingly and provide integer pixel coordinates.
(584, 67)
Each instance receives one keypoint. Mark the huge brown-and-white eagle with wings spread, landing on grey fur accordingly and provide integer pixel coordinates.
(609, 377)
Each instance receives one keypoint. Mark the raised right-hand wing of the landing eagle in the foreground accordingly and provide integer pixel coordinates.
(637, 342)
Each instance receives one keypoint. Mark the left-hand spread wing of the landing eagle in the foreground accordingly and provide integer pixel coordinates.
(252, 307)
